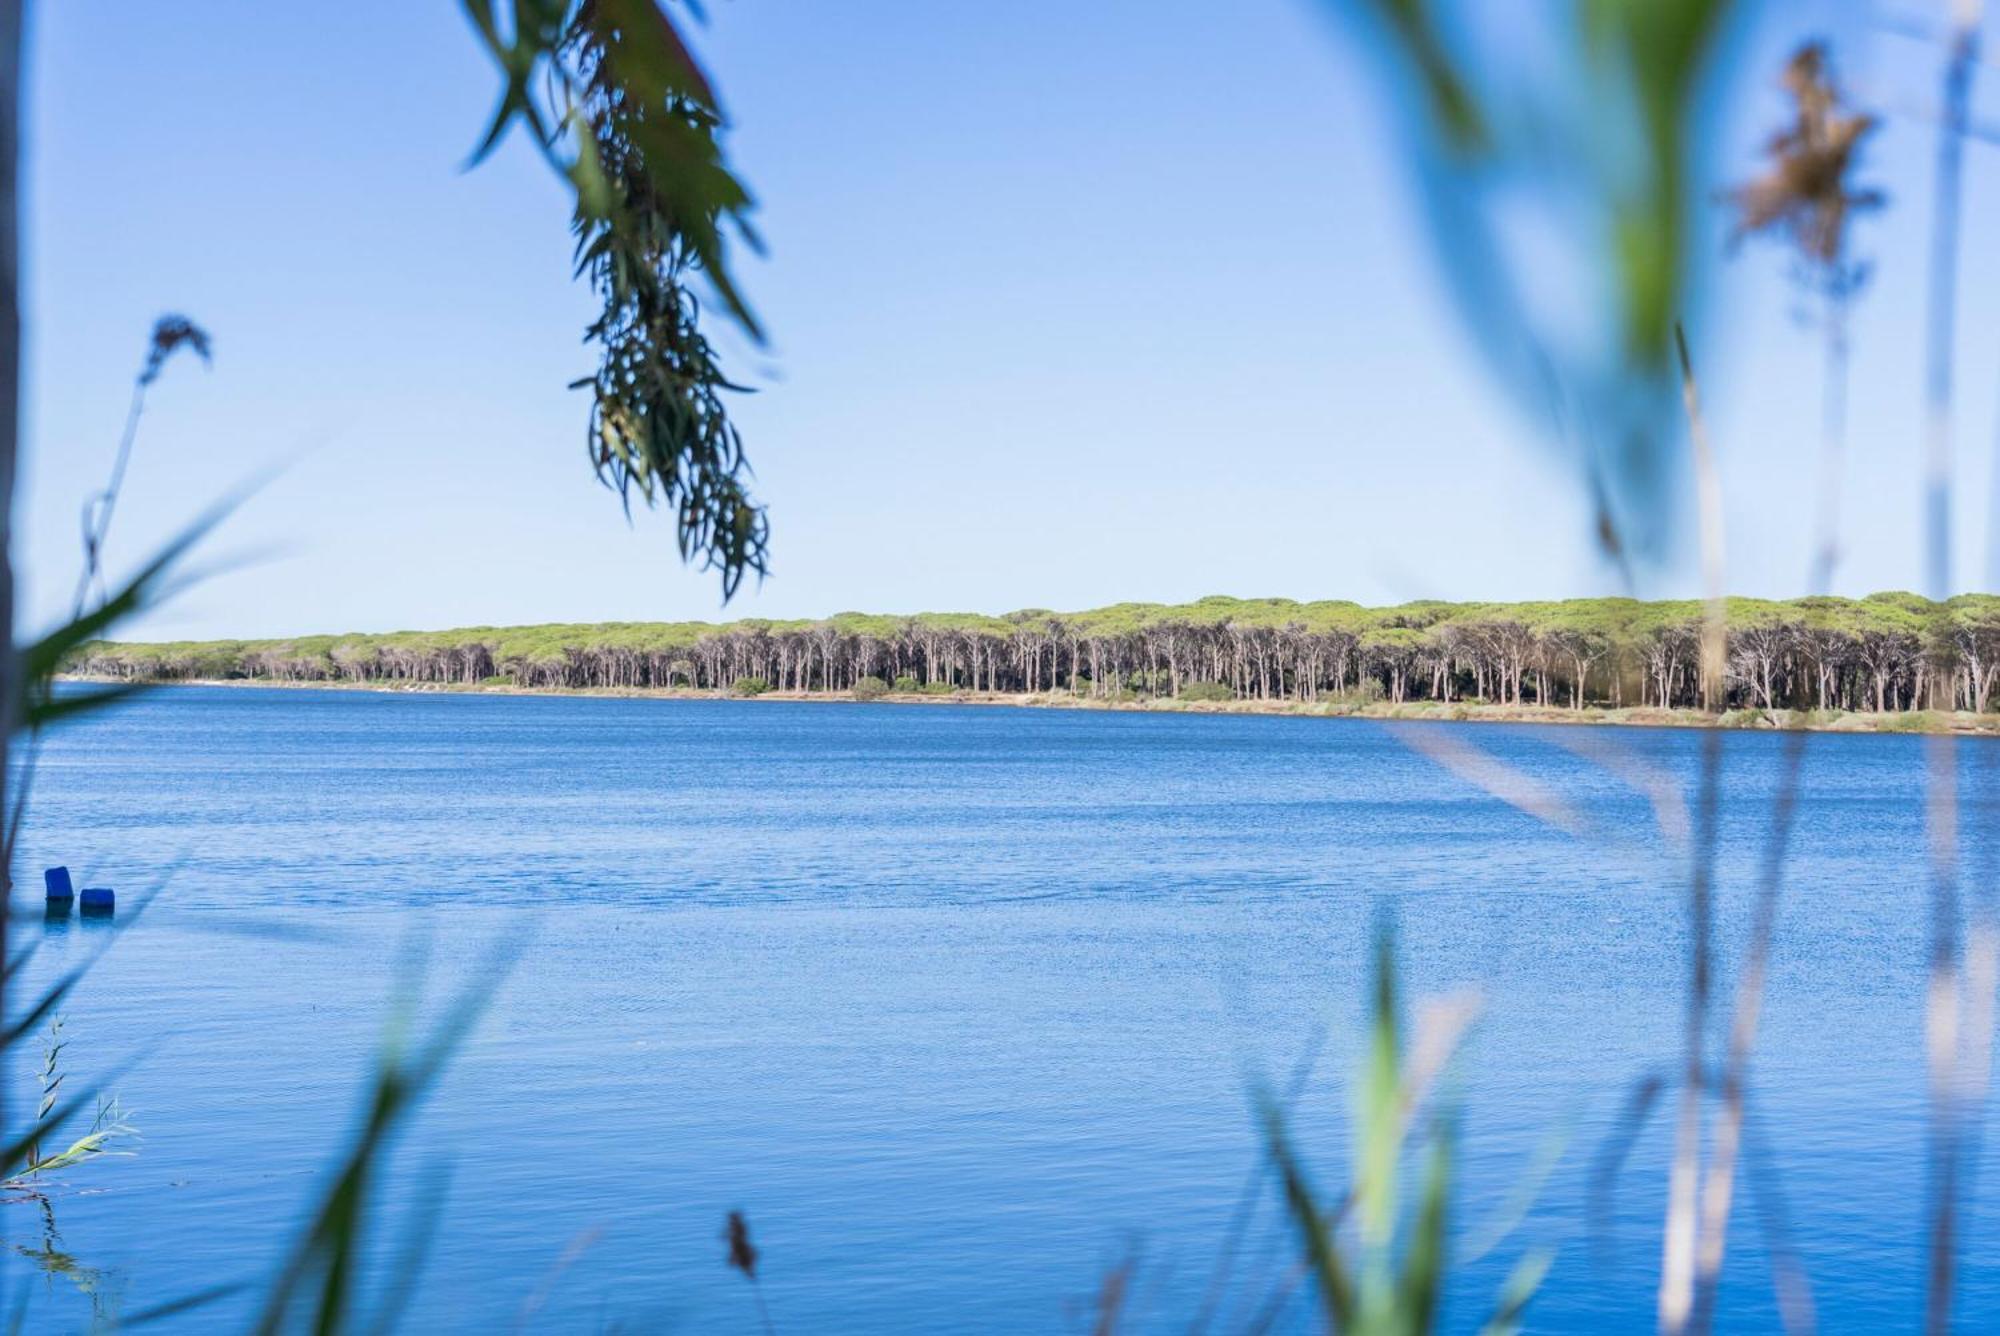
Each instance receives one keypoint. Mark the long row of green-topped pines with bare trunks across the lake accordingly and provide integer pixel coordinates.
(1879, 653)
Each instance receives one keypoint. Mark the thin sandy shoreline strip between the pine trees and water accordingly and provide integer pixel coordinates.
(1415, 711)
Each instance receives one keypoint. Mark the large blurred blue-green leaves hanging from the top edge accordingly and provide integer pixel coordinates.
(1599, 133)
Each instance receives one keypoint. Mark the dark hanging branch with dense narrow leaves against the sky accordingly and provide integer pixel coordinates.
(621, 109)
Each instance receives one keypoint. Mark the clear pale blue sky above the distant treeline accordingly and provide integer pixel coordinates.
(1069, 305)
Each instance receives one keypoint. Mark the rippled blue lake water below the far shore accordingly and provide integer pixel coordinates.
(963, 1007)
